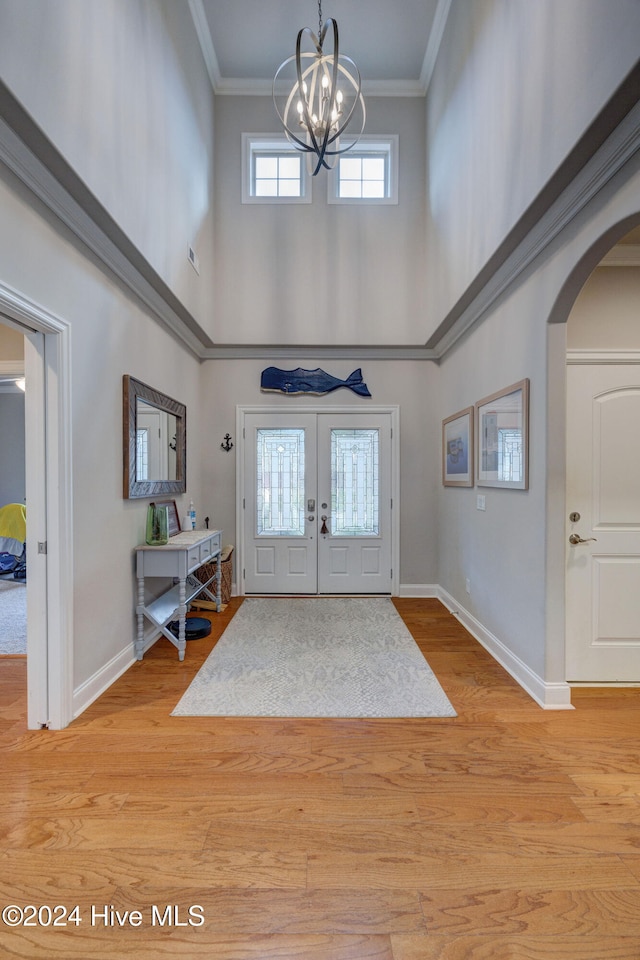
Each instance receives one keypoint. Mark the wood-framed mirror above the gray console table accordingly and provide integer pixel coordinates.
(154, 442)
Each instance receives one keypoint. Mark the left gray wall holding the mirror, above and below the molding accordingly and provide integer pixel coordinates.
(122, 91)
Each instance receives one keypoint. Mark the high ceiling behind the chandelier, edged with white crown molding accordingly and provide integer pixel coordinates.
(393, 42)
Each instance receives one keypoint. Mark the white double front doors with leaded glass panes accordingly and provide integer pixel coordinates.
(317, 503)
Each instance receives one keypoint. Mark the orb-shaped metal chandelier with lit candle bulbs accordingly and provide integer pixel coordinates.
(323, 100)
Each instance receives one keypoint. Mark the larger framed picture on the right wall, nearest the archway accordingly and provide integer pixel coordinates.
(502, 431)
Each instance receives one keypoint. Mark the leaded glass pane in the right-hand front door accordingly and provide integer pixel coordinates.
(354, 483)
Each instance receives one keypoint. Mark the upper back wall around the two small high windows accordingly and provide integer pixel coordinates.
(319, 273)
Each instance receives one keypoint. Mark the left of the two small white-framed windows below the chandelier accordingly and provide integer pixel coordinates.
(272, 171)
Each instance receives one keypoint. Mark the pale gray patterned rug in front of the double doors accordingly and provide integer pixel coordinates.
(316, 657)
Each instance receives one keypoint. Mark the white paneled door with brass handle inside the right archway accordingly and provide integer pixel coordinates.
(603, 571)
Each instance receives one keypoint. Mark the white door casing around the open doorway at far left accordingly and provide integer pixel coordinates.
(50, 497)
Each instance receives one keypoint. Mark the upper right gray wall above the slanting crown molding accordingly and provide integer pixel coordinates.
(515, 86)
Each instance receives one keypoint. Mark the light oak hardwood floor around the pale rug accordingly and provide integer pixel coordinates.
(507, 833)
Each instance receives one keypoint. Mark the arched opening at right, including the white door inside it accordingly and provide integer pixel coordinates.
(602, 509)
